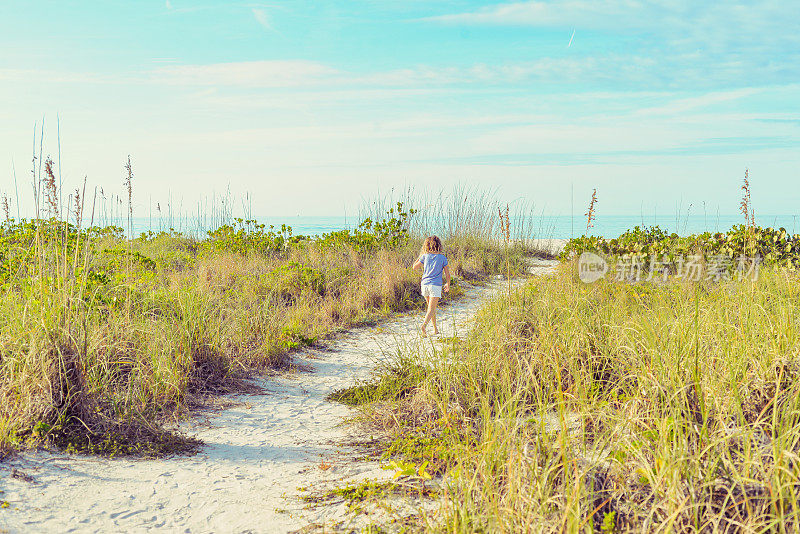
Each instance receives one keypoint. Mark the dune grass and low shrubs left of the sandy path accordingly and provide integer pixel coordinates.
(104, 339)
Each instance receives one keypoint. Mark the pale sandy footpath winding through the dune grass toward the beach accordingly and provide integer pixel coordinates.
(256, 454)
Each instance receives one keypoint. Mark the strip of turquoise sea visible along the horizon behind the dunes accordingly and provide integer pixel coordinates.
(545, 226)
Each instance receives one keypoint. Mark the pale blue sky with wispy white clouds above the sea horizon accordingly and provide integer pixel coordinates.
(311, 107)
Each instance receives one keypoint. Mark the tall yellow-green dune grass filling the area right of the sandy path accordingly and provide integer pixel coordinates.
(656, 407)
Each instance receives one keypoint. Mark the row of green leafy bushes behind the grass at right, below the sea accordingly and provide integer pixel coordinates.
(774, 246)
